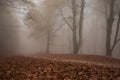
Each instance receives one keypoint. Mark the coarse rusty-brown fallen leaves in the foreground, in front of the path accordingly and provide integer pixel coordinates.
(25, 68)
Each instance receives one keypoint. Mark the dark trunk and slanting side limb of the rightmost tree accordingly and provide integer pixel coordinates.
(109, 21)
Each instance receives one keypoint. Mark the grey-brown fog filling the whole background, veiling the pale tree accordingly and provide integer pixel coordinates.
(44, 28)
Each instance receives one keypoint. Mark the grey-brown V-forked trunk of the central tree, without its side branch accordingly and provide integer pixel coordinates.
(77, 44)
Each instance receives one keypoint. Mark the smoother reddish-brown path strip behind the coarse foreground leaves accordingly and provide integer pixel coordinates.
(89, 59)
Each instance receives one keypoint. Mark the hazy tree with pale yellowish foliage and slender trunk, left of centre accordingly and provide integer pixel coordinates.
(45, 21)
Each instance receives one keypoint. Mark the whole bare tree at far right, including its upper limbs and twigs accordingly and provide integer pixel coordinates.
(111, 9)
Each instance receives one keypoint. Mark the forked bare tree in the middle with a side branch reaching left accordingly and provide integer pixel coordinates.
(77, 24)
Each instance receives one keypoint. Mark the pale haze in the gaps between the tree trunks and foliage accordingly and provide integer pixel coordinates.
(16, 35)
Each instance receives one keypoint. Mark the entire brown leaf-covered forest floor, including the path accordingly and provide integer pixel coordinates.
(59, 67)
